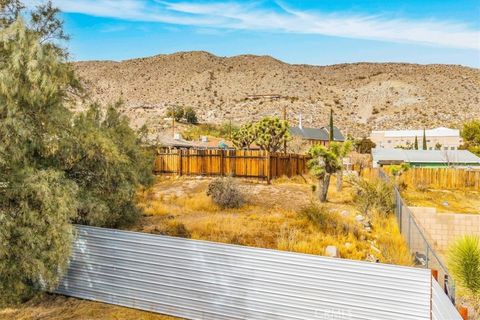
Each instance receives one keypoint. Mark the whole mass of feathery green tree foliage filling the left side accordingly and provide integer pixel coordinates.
(49, 160)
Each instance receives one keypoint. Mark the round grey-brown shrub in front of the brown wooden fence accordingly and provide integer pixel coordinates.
(225, 193)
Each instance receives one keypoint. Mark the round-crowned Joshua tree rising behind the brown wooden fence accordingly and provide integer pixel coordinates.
(271, 133)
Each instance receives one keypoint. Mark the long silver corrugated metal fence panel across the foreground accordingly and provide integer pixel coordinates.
(204, 280)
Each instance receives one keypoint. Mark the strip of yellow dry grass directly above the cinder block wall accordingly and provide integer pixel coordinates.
(458, 201)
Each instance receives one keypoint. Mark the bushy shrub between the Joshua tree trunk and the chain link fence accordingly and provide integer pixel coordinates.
(373, 195)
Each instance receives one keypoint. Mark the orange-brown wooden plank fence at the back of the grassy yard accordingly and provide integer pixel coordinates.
(238, 163)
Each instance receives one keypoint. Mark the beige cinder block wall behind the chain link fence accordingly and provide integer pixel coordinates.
(444, 228)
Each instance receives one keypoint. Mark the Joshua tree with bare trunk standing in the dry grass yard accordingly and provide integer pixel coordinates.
(323, 163)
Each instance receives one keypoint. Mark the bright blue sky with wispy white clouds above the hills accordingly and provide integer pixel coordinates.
(313, 32)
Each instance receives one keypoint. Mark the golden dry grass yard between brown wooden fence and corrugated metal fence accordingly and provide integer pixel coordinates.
(270, 219)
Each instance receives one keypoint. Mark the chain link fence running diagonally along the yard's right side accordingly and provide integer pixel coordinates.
(420, 246)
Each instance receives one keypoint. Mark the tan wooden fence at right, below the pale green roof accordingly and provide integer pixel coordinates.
(444, 178)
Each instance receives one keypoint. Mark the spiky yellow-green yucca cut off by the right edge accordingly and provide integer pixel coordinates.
(464, 263)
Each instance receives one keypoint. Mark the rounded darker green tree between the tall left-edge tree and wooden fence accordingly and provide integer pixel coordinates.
(108, 164)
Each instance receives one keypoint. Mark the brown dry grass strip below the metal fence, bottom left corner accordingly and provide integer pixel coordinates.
(53, 307)
